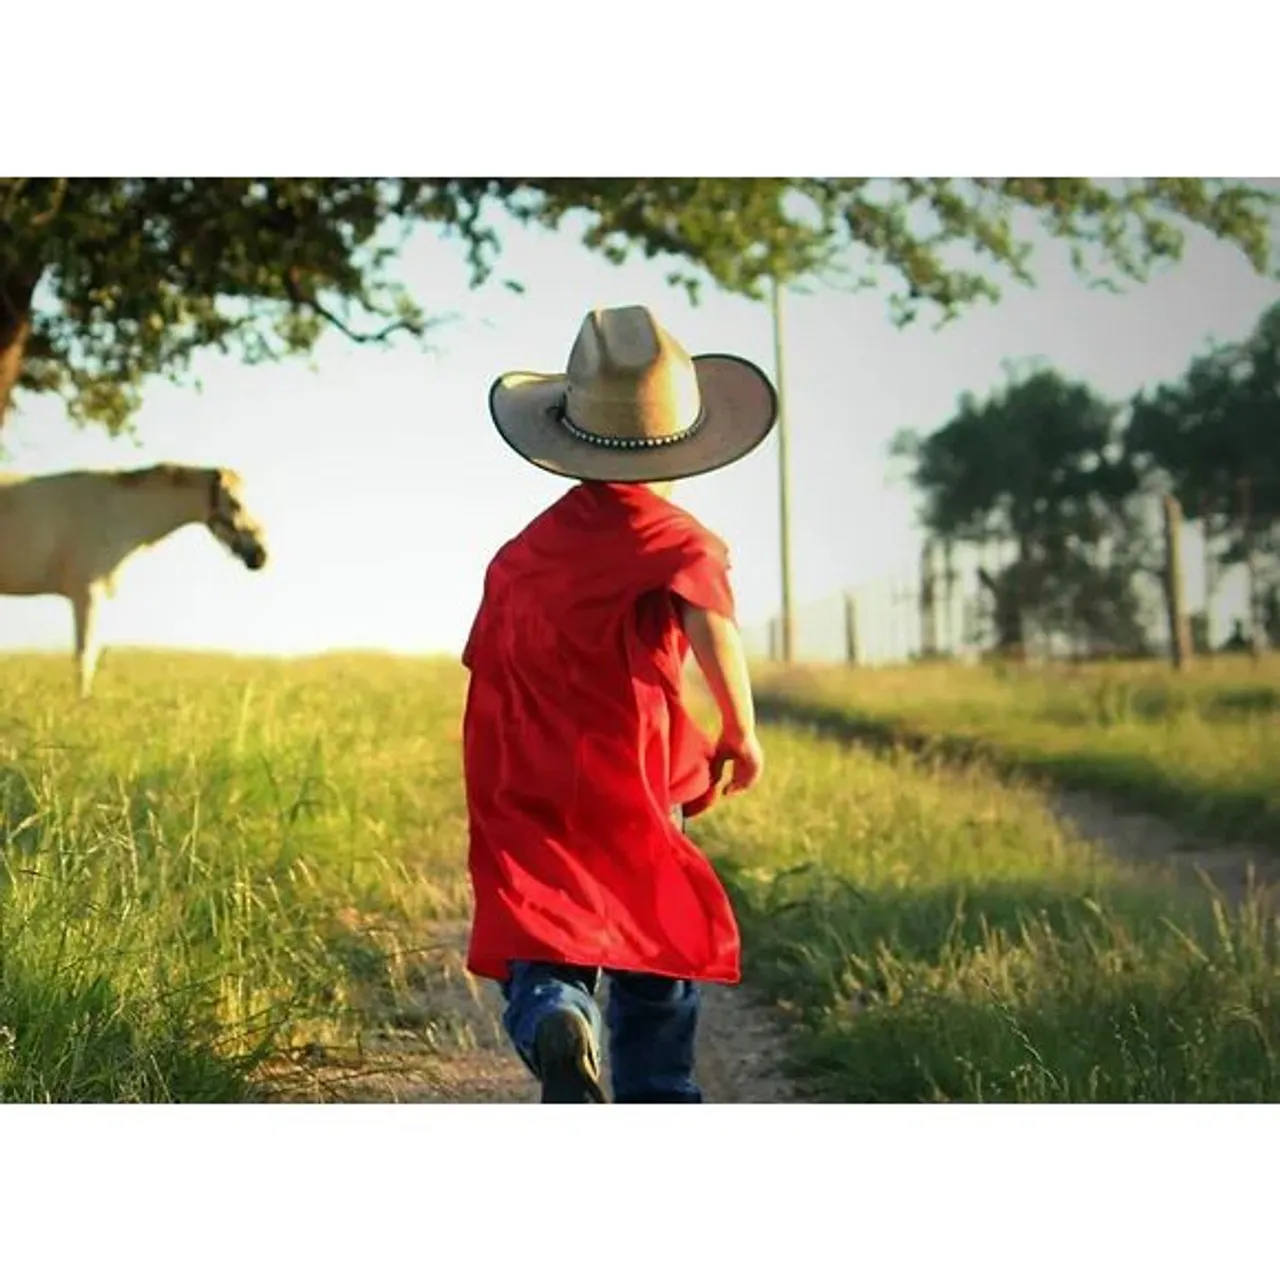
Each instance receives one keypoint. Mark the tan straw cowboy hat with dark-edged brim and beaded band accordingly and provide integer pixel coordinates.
(634, 406)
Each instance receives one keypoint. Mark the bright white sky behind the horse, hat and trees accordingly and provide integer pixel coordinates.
(386, 490)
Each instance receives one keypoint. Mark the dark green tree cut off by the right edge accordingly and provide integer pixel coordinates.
(1214, 438)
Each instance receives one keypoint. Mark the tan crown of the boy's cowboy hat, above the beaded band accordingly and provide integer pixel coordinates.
(629, 380)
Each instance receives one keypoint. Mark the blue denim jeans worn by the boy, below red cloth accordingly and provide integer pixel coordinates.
(652, 1022)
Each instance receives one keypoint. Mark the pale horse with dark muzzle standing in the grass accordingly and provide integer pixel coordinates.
(70, 534)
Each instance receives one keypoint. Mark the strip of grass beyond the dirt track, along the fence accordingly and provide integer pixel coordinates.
(1203, 748)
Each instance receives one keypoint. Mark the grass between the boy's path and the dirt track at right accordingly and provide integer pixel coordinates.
(936, 938)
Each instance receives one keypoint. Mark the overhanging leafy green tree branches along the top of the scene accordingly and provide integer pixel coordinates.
(108, 282)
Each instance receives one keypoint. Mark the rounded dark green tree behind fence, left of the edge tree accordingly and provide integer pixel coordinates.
(1039, 467)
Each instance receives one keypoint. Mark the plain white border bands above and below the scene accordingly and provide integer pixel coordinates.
(236, 88)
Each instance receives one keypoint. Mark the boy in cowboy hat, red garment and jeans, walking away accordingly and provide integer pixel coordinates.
(582, 758)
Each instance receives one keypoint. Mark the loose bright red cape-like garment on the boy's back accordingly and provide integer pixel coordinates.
(577, 744)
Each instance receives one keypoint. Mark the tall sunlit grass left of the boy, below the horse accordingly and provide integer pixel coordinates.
(211, 862)
